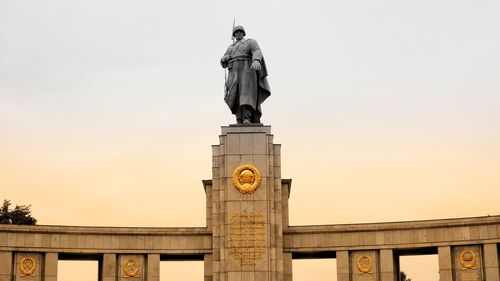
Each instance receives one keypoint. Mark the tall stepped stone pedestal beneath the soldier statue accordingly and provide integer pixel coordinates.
(247, 225)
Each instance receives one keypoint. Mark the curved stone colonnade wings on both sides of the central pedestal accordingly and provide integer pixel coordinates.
(467, 249)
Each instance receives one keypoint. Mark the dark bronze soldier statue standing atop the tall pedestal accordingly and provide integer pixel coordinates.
(246, 85)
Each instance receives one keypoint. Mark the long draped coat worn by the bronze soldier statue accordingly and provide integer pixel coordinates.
(243, 85)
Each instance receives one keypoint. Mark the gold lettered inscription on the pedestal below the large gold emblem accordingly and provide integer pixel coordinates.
(247, 237)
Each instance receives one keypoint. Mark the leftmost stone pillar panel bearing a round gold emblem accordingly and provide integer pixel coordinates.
(28, 267)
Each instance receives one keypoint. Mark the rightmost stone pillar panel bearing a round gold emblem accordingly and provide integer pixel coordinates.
(467, 263)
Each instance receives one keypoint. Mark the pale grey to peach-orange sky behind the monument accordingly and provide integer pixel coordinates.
(386, 110)
